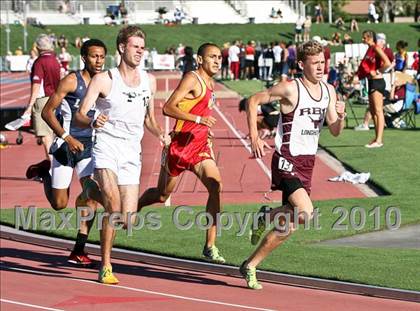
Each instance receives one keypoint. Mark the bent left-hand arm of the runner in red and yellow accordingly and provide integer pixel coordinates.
(188, 85)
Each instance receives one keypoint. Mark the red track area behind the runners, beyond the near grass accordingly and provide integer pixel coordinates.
(244, 181)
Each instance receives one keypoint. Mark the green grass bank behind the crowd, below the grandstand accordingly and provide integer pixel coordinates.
(161, 37)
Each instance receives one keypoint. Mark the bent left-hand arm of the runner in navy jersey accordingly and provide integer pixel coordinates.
(67, 85)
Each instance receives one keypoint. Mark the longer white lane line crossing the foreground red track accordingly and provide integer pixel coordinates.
(141, 290)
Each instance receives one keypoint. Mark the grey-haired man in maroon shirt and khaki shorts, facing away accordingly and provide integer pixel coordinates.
(45, 77)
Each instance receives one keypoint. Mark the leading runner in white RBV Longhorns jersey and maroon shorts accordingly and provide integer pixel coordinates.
(304, 105)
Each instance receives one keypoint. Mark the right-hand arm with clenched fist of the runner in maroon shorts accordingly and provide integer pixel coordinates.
(335, 113)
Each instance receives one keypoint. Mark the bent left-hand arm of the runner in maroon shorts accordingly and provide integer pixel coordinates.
(283, 90)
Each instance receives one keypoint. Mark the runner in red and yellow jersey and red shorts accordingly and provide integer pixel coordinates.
(190, 149)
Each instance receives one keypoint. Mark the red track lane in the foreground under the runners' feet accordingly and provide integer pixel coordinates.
(38, 276)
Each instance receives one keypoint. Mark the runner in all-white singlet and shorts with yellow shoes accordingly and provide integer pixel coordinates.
(123, 97)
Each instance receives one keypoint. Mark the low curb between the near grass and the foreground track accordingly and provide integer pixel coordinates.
(280, 278)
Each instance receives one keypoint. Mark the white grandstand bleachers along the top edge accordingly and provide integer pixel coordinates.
(71, 12)
